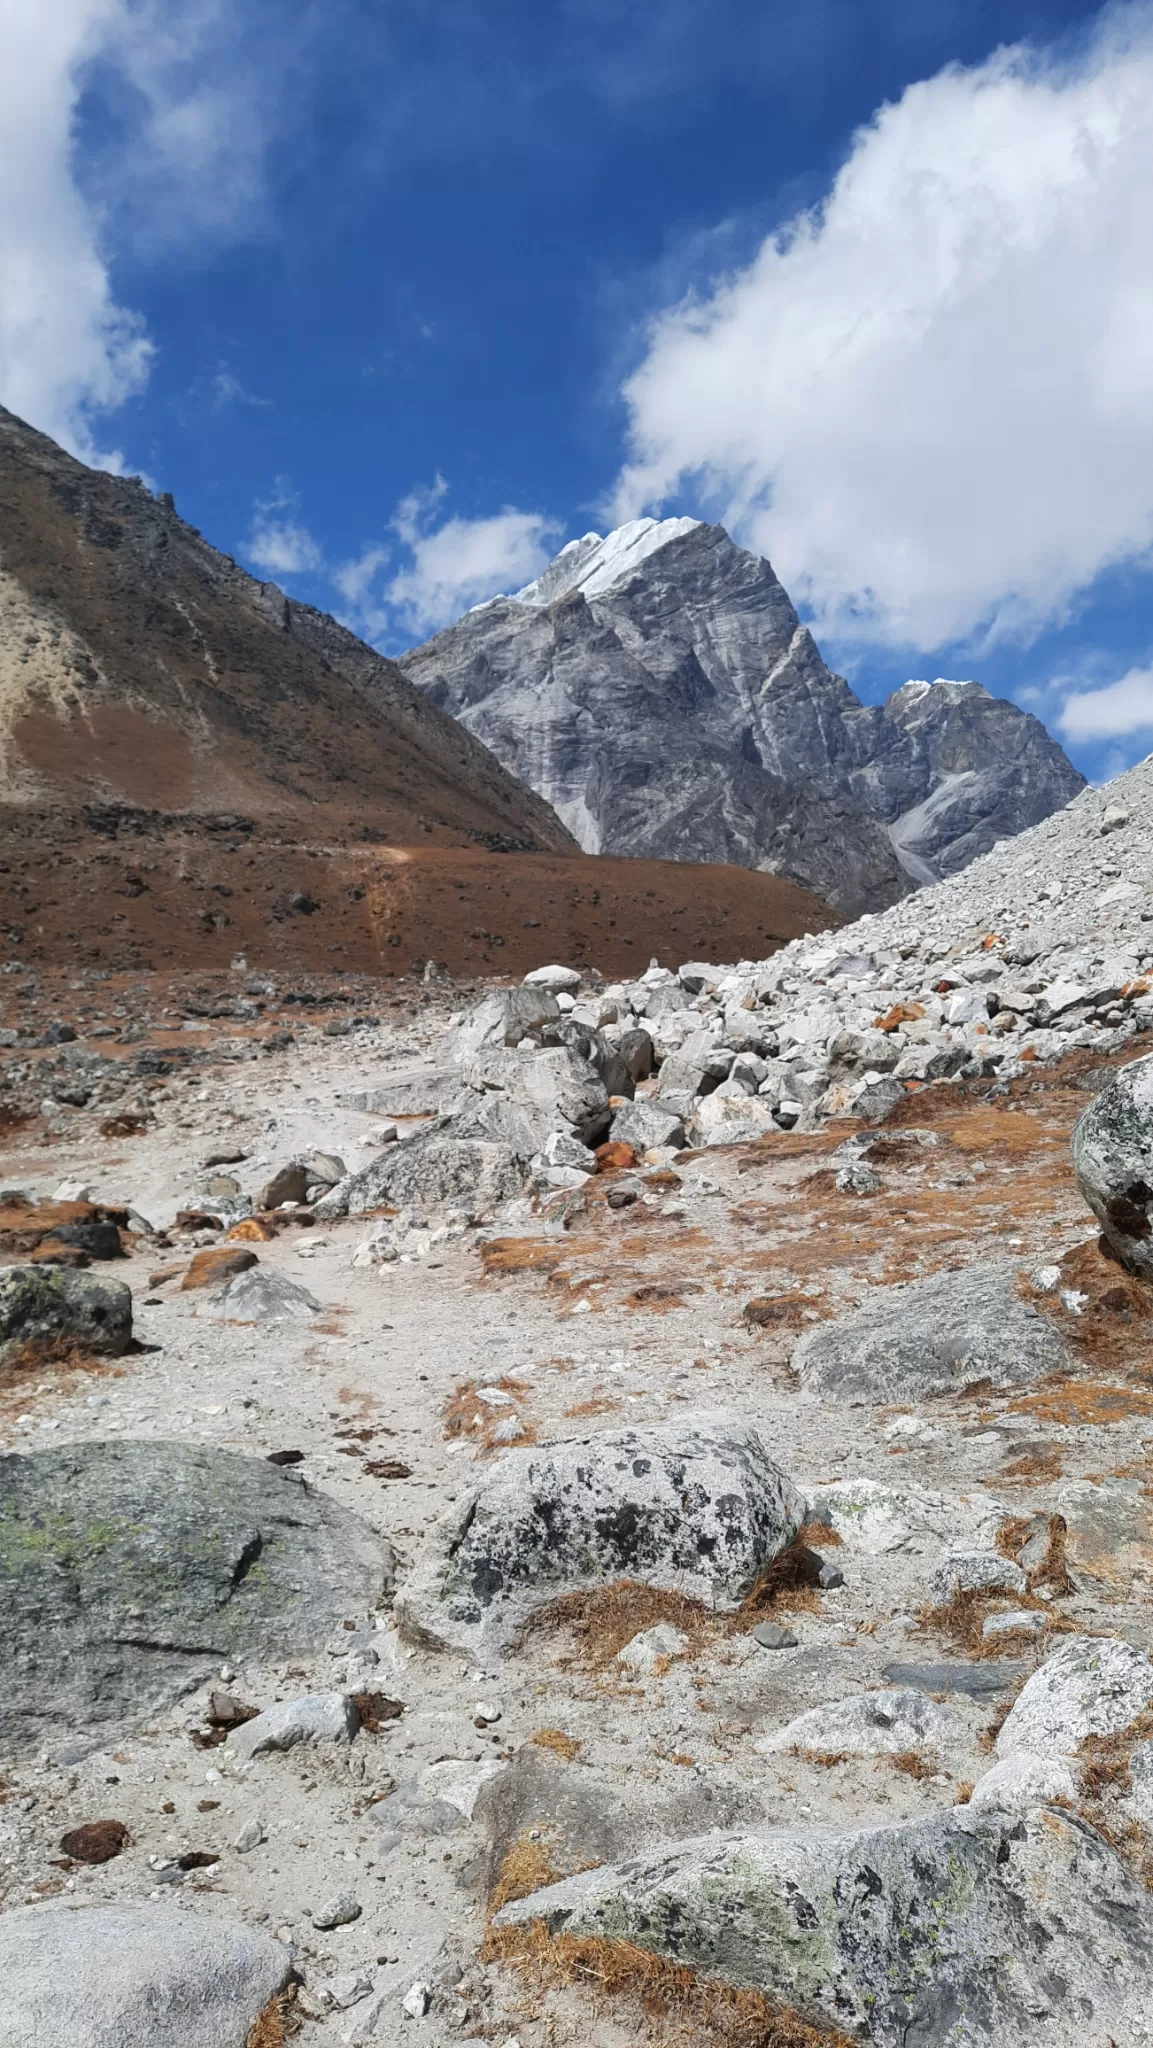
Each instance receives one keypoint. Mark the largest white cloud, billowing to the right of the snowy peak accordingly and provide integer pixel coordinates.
(931, 400)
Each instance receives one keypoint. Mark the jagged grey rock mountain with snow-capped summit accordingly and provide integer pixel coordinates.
(660, 691)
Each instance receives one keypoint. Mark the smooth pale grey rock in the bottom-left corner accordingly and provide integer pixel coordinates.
(132, 1977)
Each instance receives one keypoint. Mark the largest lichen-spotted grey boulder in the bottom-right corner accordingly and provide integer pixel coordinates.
(974, 1930)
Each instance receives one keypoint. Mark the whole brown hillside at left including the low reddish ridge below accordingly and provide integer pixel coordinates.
(194, 767)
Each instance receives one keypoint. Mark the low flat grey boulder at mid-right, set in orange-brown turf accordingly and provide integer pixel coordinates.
(931, 1338)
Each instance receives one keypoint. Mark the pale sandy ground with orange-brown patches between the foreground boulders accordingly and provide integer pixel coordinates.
(626, 1316)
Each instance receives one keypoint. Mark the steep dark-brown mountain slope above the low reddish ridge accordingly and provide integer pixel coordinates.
(138, 667)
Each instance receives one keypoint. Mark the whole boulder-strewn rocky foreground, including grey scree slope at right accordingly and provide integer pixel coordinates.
(890, 1410)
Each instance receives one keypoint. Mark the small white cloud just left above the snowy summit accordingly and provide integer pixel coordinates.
(464, 562)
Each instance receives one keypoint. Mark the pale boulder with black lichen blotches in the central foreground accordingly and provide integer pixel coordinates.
(695, 1508)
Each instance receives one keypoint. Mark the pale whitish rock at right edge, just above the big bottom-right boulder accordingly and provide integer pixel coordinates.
(1091, 1687)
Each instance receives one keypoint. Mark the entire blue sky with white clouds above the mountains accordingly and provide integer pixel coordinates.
(398, 298)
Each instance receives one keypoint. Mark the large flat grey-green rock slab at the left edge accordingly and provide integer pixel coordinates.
(130, 1572)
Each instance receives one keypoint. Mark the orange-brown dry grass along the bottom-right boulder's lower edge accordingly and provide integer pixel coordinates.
(669, 2000)
